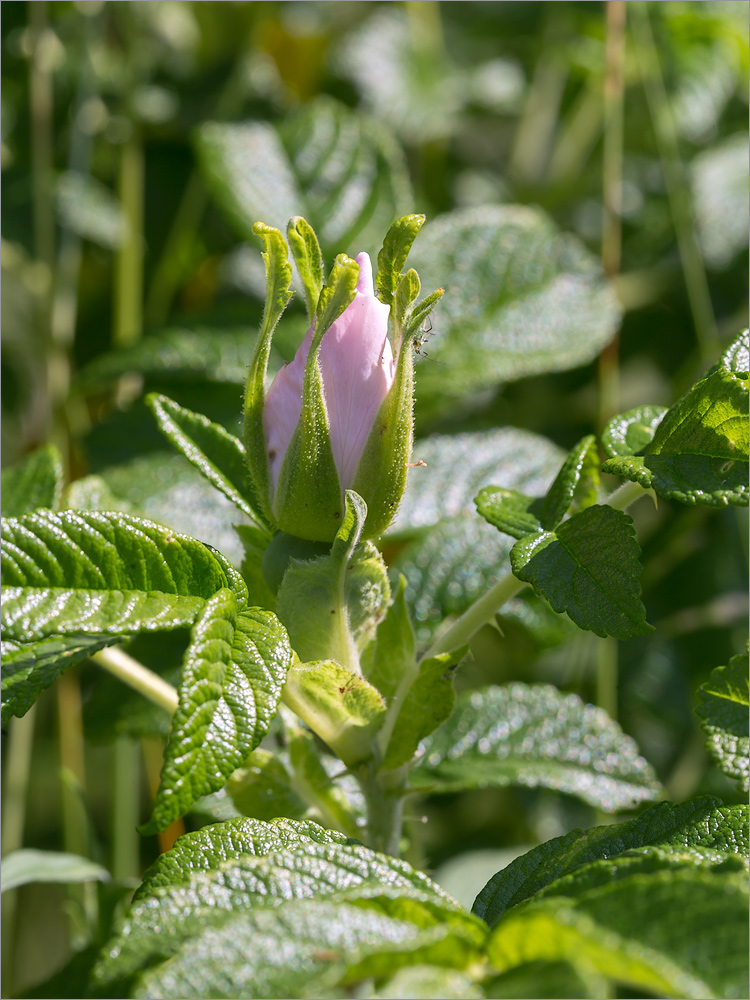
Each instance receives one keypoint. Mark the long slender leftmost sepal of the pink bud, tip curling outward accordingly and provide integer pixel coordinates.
(278, 294)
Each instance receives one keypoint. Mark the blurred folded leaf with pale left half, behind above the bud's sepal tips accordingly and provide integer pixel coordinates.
(336, 167)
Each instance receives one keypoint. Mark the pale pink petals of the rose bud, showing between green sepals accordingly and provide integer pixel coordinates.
(357, 369)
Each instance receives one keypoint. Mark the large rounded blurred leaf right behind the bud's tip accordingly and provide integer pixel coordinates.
(523, 298)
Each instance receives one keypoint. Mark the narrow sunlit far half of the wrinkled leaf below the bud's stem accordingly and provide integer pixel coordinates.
(206, 849)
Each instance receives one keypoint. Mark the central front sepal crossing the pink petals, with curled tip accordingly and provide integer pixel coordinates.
(308, 501)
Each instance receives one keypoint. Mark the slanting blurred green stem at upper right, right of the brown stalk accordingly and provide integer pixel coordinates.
(678, 189)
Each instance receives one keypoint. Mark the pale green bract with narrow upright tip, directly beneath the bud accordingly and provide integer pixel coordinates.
(332, 604)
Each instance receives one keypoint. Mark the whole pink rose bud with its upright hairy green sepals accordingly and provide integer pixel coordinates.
(339, 416)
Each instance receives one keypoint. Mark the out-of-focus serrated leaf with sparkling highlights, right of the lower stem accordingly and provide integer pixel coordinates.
(537, 737)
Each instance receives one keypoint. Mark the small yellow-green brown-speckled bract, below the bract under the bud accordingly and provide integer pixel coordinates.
(338, 705)
